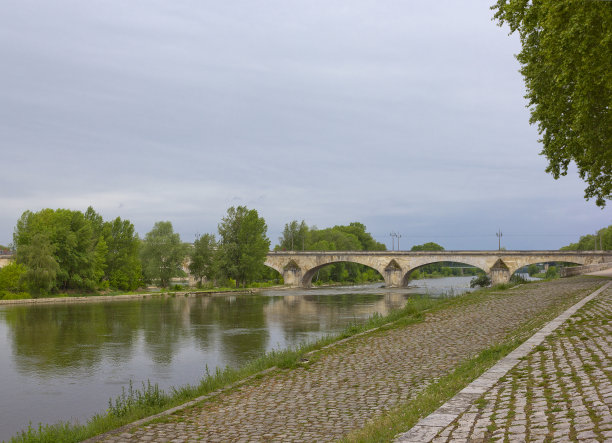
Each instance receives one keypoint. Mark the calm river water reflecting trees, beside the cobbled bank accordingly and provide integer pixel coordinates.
(64, 361)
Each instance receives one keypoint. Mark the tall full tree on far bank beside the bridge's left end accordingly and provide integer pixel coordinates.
(243, 244)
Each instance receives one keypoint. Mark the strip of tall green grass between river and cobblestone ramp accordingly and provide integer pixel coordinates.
(135, 403)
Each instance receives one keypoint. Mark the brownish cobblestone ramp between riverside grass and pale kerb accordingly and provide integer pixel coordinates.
(361, 378)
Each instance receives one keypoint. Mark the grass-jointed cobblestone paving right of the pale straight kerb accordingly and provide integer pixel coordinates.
(562, 391)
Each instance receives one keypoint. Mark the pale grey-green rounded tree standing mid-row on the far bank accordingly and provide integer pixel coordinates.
(163, 254)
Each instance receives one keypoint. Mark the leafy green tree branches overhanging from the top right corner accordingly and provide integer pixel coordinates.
(566, 60)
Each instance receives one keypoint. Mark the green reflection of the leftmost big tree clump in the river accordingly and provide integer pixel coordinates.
(70, 337)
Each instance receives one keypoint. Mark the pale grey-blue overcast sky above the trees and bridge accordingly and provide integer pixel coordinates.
(405, 116)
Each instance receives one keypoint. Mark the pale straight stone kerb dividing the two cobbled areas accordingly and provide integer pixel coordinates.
(427, 428)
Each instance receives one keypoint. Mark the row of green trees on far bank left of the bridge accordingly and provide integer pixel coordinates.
(62, 250)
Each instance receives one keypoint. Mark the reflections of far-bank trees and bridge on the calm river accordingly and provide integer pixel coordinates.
(64, 339)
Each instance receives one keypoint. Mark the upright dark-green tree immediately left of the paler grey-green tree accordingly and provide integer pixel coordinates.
(123, 267)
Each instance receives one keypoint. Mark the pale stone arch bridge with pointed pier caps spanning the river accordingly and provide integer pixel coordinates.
(298, 268)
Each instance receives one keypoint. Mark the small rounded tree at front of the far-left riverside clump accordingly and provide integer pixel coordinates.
(40, 263)
